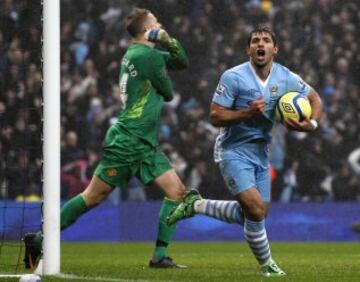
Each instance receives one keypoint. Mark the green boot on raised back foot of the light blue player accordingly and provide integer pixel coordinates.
(184, 209)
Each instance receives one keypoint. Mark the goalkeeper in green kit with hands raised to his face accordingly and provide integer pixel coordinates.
(131, 145)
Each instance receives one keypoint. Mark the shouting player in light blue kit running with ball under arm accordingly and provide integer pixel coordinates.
(244, 107)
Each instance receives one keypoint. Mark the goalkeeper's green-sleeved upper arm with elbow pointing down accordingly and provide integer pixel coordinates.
(159, 77)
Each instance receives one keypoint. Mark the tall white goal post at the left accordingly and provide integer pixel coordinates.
(51, 137)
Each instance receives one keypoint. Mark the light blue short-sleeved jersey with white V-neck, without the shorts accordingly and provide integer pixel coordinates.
(238, 87)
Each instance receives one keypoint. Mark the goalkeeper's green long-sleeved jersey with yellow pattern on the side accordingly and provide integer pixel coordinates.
(145, 85)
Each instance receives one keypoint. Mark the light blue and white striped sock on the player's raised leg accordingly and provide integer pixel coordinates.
(227, 211)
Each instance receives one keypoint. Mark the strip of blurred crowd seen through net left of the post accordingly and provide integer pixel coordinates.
(20, 99)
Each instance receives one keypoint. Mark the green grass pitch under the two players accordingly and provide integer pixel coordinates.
(230, 261)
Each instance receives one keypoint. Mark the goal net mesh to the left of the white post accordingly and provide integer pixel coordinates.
(20, 128)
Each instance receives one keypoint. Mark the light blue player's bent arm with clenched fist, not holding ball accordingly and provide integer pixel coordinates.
(221, 111)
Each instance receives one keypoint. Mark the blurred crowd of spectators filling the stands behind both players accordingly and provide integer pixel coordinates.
(318, 40)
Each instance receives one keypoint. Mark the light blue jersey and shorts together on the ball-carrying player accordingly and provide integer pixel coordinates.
(241, 150)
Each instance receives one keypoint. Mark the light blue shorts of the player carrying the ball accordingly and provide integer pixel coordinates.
(246, 167)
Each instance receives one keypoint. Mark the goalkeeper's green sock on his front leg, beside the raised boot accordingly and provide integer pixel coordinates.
(165, 231)
